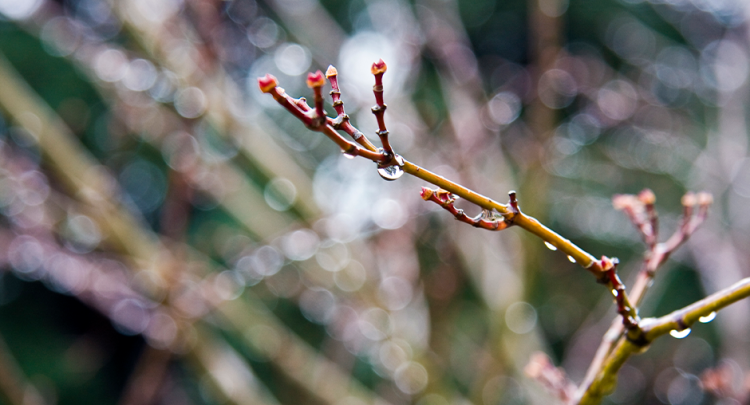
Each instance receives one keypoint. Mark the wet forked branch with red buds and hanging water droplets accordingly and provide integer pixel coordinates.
(628, 334)
